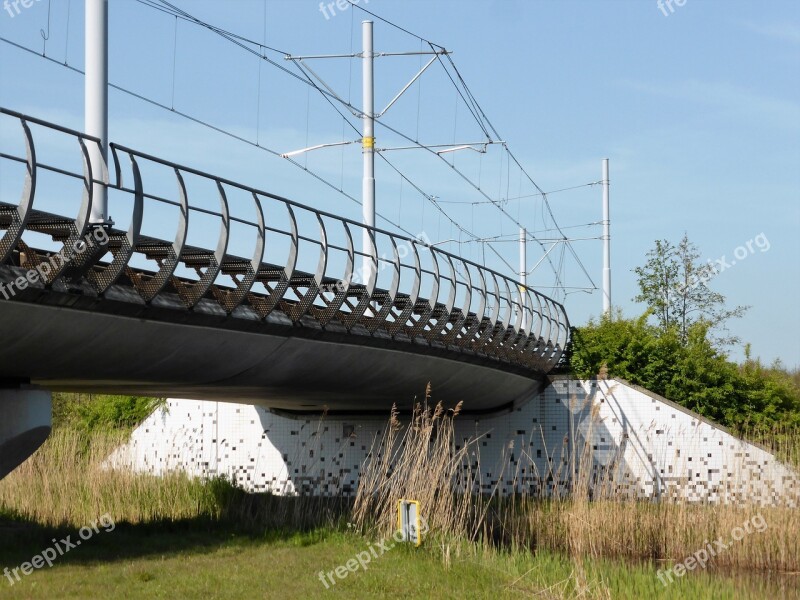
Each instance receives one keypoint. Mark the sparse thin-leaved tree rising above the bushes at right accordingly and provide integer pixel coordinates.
(673, 284)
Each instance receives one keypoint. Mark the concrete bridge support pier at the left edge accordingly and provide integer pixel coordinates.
(25, 420)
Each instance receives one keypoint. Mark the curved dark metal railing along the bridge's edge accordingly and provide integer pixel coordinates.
(403, 287)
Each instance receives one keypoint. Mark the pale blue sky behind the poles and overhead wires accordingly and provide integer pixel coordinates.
(698, 111)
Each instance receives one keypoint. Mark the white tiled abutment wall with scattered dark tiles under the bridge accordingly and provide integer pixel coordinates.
(621, 439)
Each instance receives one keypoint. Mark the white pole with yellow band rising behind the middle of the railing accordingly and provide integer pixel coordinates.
(368, 145)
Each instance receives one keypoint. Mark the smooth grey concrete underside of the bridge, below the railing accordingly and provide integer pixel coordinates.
(75, 342)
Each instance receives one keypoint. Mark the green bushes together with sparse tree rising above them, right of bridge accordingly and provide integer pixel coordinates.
(678, 358)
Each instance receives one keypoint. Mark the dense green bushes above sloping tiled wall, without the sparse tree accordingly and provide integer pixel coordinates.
(693, 373)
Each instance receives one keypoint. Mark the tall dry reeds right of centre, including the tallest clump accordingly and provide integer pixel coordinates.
(584, 518)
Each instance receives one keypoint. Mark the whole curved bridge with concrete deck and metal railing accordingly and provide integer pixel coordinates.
(292, 324)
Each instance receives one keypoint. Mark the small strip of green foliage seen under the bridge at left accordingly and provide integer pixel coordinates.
(89, 411)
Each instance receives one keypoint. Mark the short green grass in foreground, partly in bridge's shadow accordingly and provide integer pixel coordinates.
(199, 559)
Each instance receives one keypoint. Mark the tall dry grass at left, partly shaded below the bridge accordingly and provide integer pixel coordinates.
(67, 483)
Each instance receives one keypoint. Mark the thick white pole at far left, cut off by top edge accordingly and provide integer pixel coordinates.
(96, 100)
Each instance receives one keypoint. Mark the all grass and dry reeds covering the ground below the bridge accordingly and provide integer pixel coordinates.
(177, 537)
